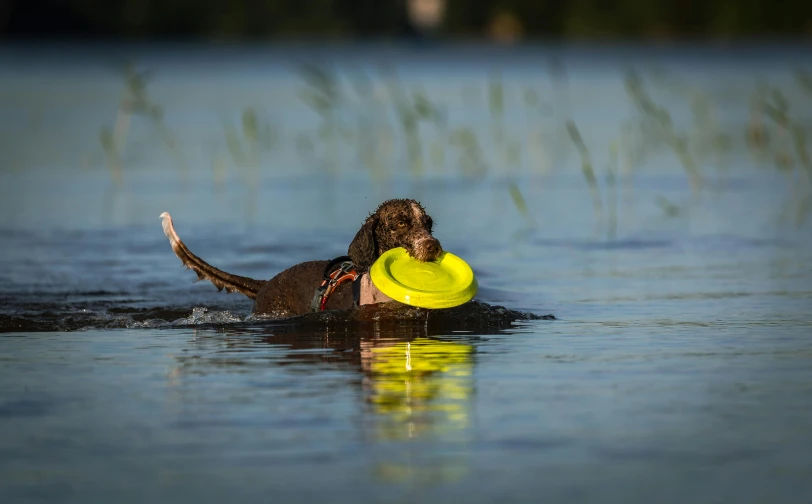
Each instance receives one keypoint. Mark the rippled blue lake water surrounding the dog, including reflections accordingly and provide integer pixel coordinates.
(679, 368)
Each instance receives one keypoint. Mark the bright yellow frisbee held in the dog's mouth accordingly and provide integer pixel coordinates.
(443, 283)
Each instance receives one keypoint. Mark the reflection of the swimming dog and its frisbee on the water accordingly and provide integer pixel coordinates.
(414, 389)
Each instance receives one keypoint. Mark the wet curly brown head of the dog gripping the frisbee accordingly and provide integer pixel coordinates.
(396, 223)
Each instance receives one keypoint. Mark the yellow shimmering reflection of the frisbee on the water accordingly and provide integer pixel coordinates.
(421, 390)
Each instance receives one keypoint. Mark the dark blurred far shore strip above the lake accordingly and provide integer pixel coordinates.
(502, 20)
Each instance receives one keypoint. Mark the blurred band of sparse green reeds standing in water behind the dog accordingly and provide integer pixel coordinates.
(378, 122)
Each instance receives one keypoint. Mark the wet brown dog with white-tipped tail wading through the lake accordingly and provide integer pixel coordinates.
(396, 223)
